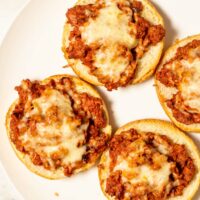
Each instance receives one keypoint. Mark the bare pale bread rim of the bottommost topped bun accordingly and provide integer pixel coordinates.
(164, 128)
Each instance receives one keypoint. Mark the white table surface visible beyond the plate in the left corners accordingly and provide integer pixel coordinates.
(8, 12)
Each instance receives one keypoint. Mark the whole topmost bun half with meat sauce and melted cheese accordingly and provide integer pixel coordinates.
(113, 42)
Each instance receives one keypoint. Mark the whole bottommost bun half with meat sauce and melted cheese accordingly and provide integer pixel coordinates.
(141, 159)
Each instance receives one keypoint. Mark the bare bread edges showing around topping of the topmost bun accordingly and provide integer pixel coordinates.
(146, 65)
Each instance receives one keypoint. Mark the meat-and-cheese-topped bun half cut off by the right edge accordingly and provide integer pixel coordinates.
(180, 83)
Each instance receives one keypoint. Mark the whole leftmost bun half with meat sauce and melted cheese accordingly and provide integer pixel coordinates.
(53, 145)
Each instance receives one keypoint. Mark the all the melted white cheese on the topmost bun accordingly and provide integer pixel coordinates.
(111, 31)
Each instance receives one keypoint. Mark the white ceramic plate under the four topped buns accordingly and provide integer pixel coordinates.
(32, 49)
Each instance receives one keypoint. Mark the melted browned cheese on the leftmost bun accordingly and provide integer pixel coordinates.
(60, 137)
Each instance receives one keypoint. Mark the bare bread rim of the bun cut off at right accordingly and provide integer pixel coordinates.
(164, 93)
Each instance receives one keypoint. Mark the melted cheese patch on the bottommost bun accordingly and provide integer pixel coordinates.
(143, 173)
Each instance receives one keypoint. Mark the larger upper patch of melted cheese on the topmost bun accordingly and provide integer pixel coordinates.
(112, 26)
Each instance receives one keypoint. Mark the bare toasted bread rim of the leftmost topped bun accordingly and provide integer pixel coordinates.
(58, 173)
